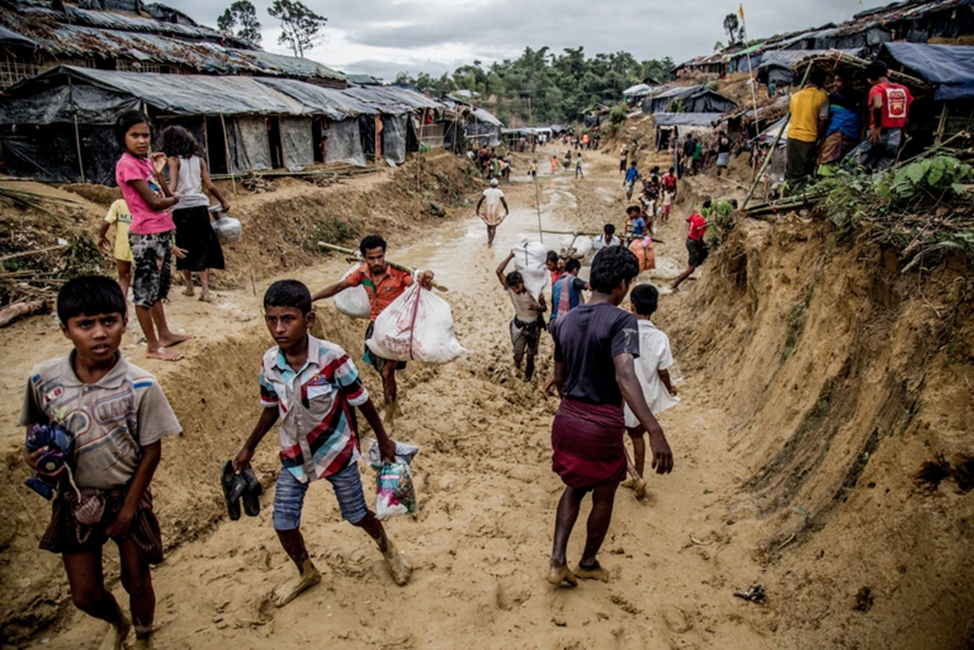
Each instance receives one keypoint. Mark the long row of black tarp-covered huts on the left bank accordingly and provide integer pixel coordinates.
(57, 126)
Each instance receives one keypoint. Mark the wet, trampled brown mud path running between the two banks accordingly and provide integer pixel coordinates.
(481, 540)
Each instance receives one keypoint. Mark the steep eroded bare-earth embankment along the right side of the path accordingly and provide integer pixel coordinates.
(847, 389)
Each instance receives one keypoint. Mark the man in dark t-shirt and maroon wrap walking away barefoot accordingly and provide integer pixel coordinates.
(595, 345)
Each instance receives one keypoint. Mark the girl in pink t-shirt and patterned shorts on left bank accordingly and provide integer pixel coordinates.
(139, 177)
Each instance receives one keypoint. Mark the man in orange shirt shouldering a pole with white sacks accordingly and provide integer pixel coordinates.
(383, 284)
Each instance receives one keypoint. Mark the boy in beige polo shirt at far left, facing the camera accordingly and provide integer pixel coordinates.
(117, 414)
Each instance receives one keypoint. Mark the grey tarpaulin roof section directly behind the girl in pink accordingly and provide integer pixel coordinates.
(177, 94)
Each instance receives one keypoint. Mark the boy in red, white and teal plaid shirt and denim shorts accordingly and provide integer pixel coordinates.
(312, 386)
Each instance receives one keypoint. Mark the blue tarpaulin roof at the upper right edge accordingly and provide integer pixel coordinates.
(948, 68)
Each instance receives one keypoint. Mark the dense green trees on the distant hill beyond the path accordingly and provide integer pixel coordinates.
(542, 87)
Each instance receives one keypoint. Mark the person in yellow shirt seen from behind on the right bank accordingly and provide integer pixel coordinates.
(809, 118)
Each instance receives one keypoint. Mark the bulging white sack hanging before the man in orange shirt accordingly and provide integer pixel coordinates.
(417, 326)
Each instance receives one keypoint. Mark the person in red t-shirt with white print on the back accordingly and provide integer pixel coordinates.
(889, 111)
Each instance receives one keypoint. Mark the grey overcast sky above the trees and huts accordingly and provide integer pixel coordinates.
(384, 37)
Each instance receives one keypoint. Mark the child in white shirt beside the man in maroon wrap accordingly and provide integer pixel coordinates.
(655, 357)
